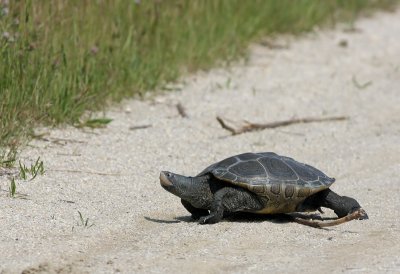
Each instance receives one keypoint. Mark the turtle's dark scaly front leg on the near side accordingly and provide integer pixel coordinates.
(230, 199)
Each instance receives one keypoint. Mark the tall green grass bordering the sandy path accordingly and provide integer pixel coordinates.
(59, 59)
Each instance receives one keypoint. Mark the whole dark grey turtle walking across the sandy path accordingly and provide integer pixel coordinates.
(262, 183)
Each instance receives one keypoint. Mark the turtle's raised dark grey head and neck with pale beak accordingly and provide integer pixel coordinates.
(195, 190)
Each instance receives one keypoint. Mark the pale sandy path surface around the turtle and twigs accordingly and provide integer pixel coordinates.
(110, 175)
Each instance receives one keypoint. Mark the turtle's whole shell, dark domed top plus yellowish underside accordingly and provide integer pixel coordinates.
(282, 182)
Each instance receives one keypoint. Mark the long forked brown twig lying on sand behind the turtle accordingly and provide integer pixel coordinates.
(248, 126)
